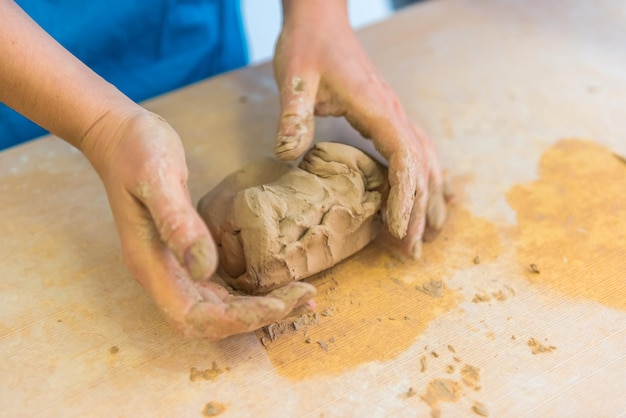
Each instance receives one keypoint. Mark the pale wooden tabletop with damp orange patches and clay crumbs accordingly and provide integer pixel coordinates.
(526, 102)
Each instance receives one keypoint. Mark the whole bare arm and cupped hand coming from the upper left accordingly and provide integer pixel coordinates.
(141, 162)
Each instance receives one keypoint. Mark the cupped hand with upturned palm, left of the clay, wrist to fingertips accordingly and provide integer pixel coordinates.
(166, 244)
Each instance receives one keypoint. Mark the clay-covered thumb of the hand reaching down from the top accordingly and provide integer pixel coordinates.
(297, 123)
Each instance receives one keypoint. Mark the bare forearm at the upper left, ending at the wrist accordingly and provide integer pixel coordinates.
(45, 83)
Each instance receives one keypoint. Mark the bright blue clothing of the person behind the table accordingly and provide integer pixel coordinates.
(144, 48)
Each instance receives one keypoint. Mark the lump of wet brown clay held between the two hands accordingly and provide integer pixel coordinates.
(275, 223)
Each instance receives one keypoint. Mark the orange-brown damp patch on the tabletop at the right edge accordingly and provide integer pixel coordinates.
(572, 223)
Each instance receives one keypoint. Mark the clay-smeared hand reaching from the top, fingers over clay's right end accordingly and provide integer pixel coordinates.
(321, 69)
